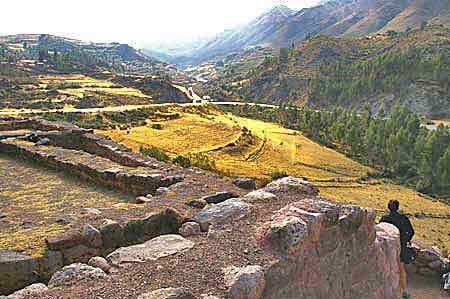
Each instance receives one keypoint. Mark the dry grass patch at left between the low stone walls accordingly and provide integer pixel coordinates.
(34, 198)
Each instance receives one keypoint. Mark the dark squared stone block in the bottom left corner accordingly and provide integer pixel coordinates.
(17, 271)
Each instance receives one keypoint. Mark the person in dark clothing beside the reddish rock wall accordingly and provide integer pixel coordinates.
(406, 234)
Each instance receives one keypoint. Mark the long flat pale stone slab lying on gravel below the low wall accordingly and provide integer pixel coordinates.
(152, 250)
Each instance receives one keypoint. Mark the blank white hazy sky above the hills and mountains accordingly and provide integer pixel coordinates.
(138, 22)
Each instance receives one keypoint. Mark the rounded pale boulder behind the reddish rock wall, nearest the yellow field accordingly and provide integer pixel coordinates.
(287, 184)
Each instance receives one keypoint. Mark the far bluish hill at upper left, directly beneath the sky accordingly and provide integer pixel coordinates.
(68, 54)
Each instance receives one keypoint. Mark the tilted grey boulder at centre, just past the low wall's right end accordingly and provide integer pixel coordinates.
(223, 213)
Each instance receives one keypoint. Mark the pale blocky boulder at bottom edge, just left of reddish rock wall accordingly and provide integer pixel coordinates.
(247, 282)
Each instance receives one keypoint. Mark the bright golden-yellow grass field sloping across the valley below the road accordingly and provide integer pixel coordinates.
(284, 150)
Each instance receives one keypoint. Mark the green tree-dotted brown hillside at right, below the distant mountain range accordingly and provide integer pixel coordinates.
(381, 70)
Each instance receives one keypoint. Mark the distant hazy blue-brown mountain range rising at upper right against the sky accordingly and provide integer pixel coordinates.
(282, 26)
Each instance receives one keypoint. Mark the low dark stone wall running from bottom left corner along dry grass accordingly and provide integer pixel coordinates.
(18, 270)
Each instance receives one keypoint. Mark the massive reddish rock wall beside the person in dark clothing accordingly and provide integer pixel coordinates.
(329, 251)
